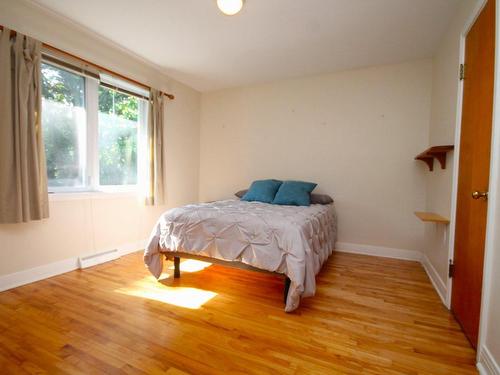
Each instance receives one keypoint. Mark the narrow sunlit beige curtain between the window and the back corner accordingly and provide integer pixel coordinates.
(155, 189)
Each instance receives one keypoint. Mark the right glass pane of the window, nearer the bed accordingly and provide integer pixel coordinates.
(118, 126)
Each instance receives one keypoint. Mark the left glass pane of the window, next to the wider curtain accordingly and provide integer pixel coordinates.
(64, 126)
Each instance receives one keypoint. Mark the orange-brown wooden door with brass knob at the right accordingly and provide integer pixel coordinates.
(474, 166)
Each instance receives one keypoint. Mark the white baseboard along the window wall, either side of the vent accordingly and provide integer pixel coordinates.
(45, 271)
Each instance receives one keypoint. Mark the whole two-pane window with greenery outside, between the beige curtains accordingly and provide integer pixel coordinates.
(91, 130)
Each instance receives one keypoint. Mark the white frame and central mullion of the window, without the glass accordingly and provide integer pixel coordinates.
(91, 149)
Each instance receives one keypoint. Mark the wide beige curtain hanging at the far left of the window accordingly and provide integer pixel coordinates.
(23, 176)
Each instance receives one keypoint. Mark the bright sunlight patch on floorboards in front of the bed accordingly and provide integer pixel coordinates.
(191, 298)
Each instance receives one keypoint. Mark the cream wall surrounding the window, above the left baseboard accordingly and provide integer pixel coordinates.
(100, 222)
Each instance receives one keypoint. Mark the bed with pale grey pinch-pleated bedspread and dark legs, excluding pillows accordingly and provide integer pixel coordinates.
(289, 240)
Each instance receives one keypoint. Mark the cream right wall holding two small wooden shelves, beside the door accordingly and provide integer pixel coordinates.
(442, 132)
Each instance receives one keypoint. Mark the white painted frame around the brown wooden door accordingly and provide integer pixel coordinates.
(494, 181)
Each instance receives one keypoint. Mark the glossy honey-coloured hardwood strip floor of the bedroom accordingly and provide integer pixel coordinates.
(370, 315)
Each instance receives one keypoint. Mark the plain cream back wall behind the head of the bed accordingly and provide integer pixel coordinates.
(355, 133)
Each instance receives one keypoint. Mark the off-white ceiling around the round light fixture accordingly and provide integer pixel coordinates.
(191, 41)
